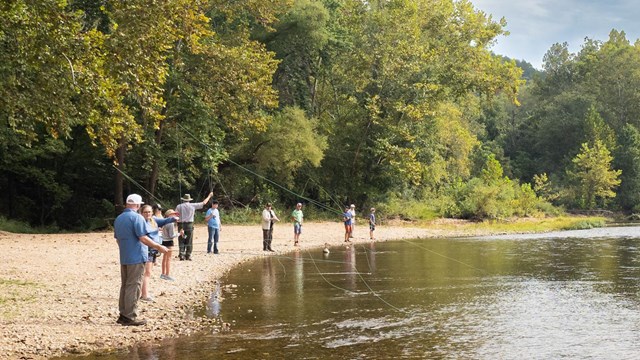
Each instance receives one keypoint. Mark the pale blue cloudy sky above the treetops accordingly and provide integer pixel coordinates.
(535, 25)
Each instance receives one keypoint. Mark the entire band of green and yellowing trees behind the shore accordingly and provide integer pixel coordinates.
(329, 100)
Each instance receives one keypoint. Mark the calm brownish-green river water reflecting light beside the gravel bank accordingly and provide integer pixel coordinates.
(570, 295)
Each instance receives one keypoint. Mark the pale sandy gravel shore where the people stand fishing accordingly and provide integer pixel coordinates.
(59, 293)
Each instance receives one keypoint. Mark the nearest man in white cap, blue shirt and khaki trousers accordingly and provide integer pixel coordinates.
(130, 231)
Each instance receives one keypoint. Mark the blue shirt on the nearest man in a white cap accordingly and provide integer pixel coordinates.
(128, 228)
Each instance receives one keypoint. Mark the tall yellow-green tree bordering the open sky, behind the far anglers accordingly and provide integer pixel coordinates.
(394, 103)
